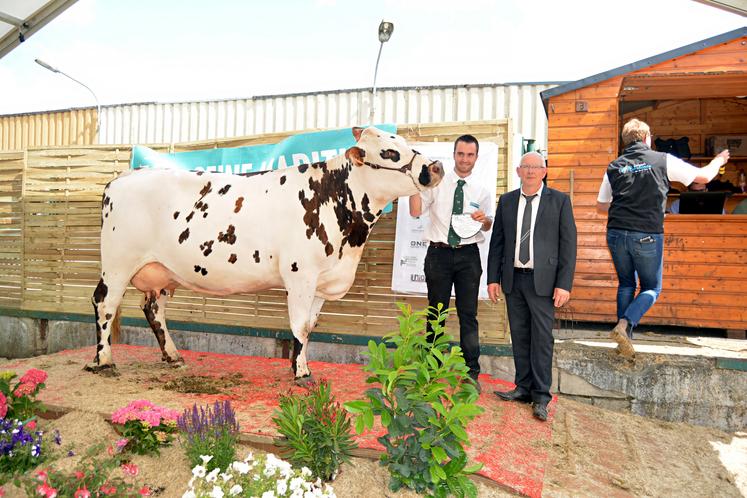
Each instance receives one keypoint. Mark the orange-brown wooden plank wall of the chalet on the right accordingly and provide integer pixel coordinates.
(704, 255)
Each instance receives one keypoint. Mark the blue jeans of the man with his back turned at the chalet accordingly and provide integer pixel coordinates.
(636, 254)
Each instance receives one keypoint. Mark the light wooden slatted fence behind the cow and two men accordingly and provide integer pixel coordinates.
(50, 201)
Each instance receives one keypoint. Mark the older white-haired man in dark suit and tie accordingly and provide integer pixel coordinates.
(532, 260)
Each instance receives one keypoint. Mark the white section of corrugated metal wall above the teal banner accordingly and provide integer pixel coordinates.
(207, 120)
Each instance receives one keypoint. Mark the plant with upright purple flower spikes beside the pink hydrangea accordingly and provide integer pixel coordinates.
(209, 431)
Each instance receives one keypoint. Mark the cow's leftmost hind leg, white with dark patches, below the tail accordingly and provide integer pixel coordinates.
(106, 300)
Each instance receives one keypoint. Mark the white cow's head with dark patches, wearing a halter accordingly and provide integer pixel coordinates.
(382, 151)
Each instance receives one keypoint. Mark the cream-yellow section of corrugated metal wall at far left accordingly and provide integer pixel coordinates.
(71, 127)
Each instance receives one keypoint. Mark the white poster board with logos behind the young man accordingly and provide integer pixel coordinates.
(409, 243)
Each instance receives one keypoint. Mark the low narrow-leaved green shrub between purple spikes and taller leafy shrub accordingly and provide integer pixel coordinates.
(316, 431)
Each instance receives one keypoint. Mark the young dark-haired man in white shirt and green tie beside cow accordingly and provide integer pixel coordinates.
(452, 260)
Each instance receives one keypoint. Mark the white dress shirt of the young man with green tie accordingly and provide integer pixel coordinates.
(438, 203)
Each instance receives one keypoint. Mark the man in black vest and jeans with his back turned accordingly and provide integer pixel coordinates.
(633, 193)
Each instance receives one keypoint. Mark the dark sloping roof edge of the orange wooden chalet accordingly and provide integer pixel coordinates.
(635, 66)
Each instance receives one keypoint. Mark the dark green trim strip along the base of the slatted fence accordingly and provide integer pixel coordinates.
(214, 328)
